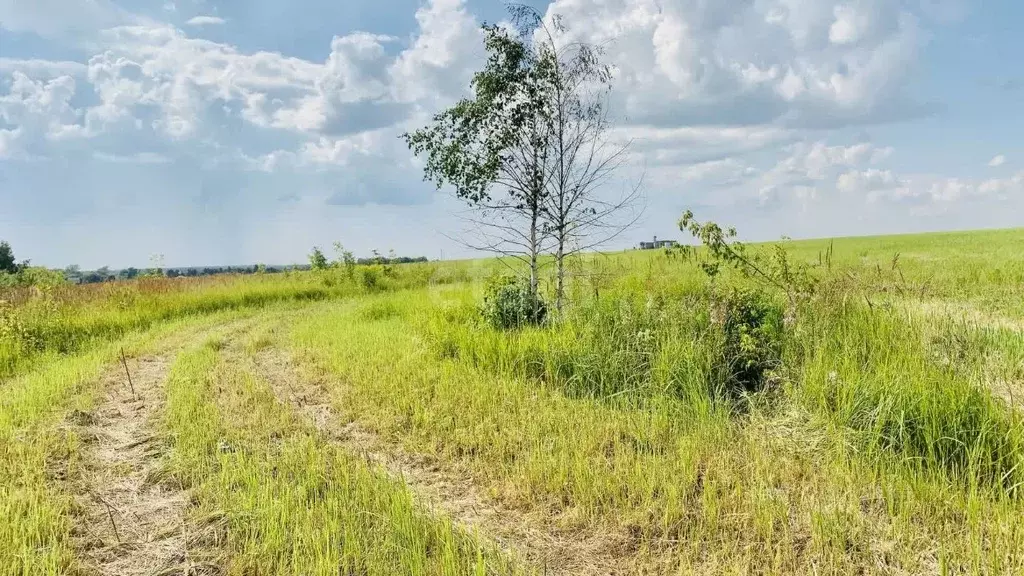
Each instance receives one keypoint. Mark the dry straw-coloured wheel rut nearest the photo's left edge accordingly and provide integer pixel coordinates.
(130, 523)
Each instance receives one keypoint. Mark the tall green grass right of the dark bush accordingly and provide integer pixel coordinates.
(904, 385)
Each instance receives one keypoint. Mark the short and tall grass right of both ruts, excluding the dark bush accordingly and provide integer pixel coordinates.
(790, 483)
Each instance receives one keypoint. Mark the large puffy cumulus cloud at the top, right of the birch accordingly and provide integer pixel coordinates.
(800, 63)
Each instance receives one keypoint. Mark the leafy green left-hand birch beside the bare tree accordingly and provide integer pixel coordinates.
(493, 150)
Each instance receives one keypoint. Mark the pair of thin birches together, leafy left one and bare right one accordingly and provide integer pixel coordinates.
(529, 149)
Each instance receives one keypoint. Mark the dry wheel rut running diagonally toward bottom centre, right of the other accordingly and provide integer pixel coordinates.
(448, 491)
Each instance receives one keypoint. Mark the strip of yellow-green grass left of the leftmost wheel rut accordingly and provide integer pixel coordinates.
(40, 455)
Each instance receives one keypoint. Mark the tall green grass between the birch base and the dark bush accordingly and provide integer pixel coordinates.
(630, 346)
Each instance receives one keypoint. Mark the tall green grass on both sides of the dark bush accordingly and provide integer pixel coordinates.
(898, 383)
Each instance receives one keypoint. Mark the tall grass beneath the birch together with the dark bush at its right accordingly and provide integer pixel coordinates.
(635, 343)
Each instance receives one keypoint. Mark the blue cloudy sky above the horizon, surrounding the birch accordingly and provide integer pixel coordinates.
(225, 133)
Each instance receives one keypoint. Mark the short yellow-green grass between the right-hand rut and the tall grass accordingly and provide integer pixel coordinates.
(784, 485)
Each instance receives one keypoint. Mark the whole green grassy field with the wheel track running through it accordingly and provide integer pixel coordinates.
(368, 422)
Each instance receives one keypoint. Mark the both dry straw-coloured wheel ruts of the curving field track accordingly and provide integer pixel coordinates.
(134, 520)
